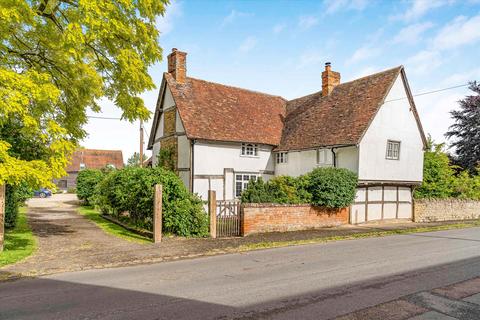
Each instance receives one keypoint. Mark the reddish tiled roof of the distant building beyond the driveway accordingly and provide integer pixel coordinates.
(95, 159)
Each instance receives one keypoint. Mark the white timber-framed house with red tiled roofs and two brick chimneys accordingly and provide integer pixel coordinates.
(220, 137)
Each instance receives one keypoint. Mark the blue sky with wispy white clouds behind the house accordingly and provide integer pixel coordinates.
(280, 47)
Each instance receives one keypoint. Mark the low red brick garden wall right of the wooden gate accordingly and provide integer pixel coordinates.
(260, 218)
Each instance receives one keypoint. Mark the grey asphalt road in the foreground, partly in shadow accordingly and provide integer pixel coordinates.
(319, 281)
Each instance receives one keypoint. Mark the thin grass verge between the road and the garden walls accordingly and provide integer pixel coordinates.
(369, 234)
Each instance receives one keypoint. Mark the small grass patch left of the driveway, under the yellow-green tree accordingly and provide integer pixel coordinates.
(19, 241)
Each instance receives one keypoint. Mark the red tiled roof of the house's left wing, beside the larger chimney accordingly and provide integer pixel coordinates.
(214, 111)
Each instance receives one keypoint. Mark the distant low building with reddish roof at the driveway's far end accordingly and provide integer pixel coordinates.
(89, 159)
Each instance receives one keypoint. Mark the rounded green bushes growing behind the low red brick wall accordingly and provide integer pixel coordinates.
(326, 187)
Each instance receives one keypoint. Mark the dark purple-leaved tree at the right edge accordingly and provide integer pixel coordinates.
(466, 130)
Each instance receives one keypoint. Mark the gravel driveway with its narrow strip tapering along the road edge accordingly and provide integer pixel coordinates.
(68, 241)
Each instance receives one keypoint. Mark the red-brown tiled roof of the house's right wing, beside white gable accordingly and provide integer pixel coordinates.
(340, 118)
